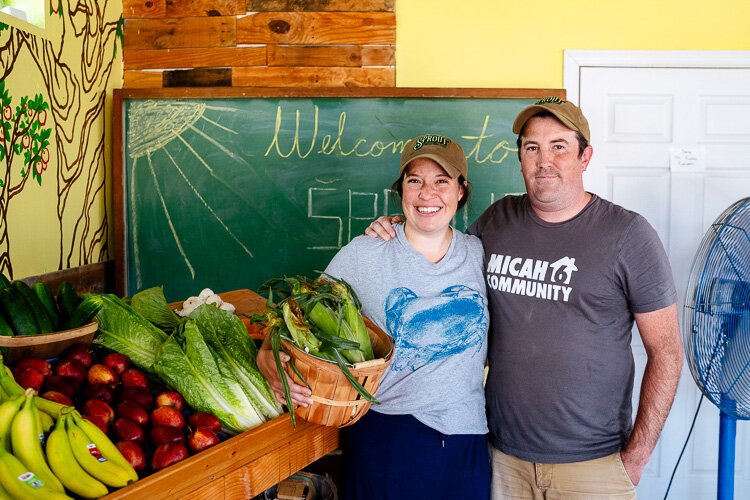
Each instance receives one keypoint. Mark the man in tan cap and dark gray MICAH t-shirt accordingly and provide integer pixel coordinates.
(568, 273)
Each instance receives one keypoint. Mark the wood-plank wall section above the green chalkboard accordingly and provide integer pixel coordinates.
(259, 43)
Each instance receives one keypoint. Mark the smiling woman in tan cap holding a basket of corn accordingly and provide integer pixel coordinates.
(426, 438)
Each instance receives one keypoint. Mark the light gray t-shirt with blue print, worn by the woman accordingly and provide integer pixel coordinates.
(437, 315)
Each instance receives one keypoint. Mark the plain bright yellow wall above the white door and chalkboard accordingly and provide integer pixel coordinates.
(491, 43)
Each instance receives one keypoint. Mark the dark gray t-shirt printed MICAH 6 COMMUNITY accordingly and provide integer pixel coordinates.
(562, 298)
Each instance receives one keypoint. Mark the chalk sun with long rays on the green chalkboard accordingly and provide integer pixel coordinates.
(152, 126)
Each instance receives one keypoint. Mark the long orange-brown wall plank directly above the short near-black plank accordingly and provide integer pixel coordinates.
(195, 58)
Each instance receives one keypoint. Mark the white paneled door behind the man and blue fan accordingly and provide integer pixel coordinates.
(673, 143)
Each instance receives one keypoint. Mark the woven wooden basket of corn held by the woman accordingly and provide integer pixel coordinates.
(336, 402)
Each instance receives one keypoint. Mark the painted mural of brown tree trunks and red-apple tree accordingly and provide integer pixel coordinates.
(74, 68)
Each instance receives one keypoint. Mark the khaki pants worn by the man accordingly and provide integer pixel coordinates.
(602, 478)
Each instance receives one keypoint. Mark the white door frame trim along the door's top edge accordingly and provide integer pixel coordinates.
(574, 60)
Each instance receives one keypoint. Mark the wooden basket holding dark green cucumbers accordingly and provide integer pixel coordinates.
(47, 345)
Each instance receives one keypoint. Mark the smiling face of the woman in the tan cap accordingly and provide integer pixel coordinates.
(429, 196)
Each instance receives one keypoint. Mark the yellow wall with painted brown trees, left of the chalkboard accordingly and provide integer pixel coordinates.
(60, 221)
